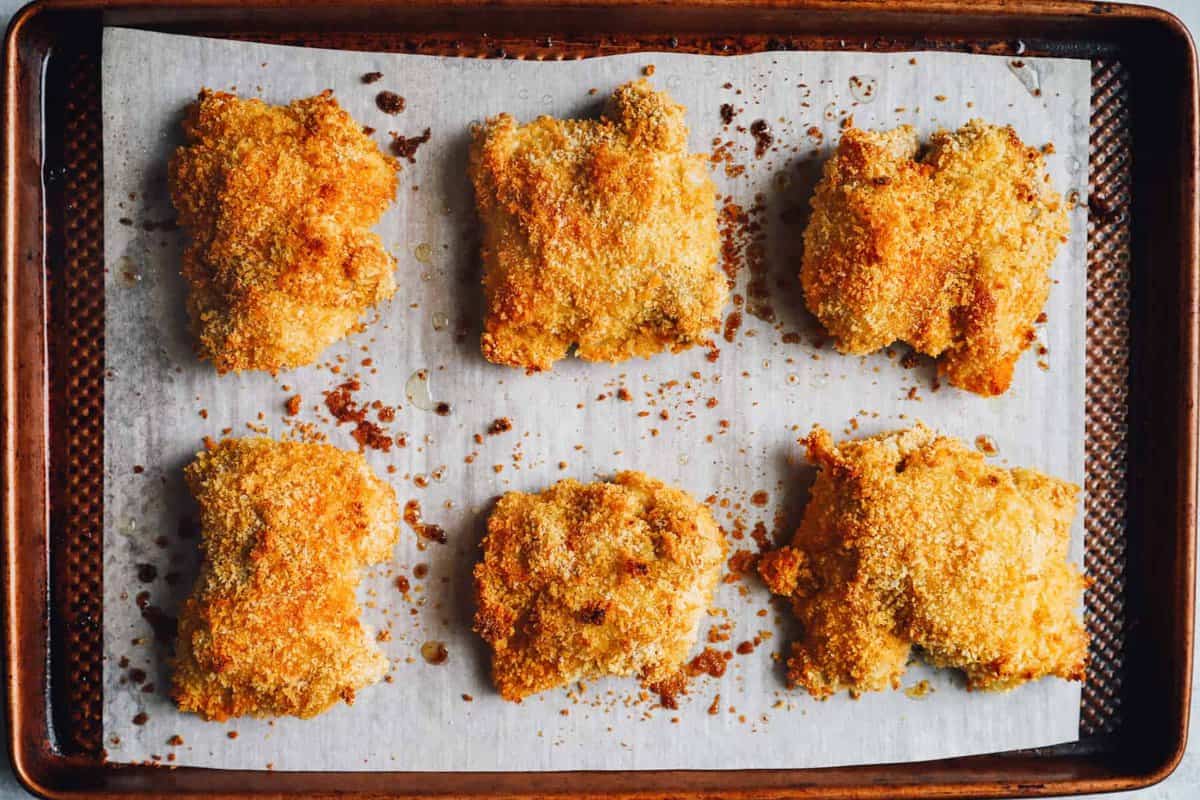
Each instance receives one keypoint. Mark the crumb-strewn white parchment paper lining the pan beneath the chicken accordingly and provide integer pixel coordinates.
(731, 430)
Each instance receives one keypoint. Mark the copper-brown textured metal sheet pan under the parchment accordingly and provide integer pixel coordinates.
(1142, 366)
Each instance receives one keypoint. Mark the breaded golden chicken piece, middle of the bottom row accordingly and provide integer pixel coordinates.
(583, 581)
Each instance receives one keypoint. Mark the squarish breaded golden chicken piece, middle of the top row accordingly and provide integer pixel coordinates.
(597, 233)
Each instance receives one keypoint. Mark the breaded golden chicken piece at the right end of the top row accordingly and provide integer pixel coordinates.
(949, 252)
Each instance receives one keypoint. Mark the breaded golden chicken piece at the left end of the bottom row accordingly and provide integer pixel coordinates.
(273, 623)
